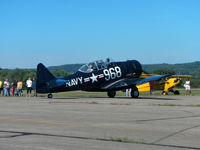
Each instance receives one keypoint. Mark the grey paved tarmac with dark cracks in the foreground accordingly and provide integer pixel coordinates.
(147, 123)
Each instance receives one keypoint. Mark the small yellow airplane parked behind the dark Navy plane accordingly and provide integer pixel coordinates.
(165, 85)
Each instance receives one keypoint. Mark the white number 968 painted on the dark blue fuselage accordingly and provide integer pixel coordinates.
(112, 73)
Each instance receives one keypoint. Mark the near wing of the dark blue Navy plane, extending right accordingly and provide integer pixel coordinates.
(128, 82)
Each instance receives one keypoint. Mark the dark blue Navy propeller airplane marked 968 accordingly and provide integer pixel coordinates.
(96, 76)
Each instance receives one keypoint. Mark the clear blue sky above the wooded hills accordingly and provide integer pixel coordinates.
(57, 32)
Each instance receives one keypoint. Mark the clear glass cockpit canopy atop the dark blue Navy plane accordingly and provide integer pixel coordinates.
(96, 65)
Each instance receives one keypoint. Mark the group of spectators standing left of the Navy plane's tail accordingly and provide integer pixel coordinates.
(12, 89)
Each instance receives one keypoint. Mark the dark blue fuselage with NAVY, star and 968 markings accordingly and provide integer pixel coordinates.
(95, 79)
